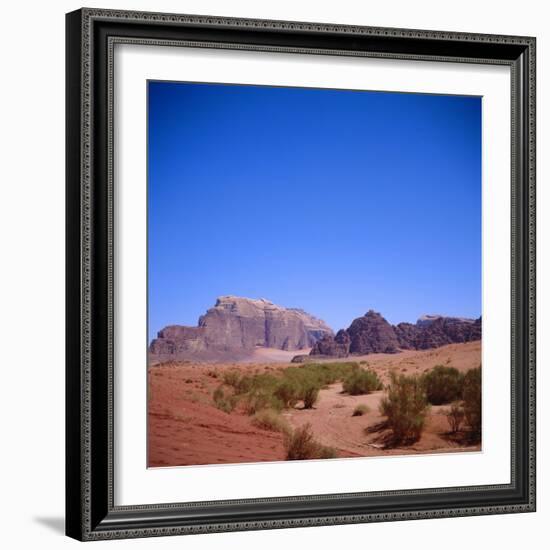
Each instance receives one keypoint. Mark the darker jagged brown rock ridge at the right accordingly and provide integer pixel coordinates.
(373, 334)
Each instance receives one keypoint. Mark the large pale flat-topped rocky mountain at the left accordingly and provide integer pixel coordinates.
(235, 326)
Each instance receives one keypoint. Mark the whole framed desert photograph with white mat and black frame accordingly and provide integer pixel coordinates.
(300, 274)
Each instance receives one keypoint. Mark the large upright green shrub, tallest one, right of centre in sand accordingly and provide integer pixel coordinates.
(405, 408)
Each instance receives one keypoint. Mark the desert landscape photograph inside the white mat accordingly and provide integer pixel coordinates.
(314, 274)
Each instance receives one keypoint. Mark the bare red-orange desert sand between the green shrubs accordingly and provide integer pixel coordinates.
(186, 428)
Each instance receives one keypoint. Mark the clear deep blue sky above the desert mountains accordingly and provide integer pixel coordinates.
(333, 201)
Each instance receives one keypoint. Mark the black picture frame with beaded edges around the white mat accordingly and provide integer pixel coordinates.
(90, 510)
